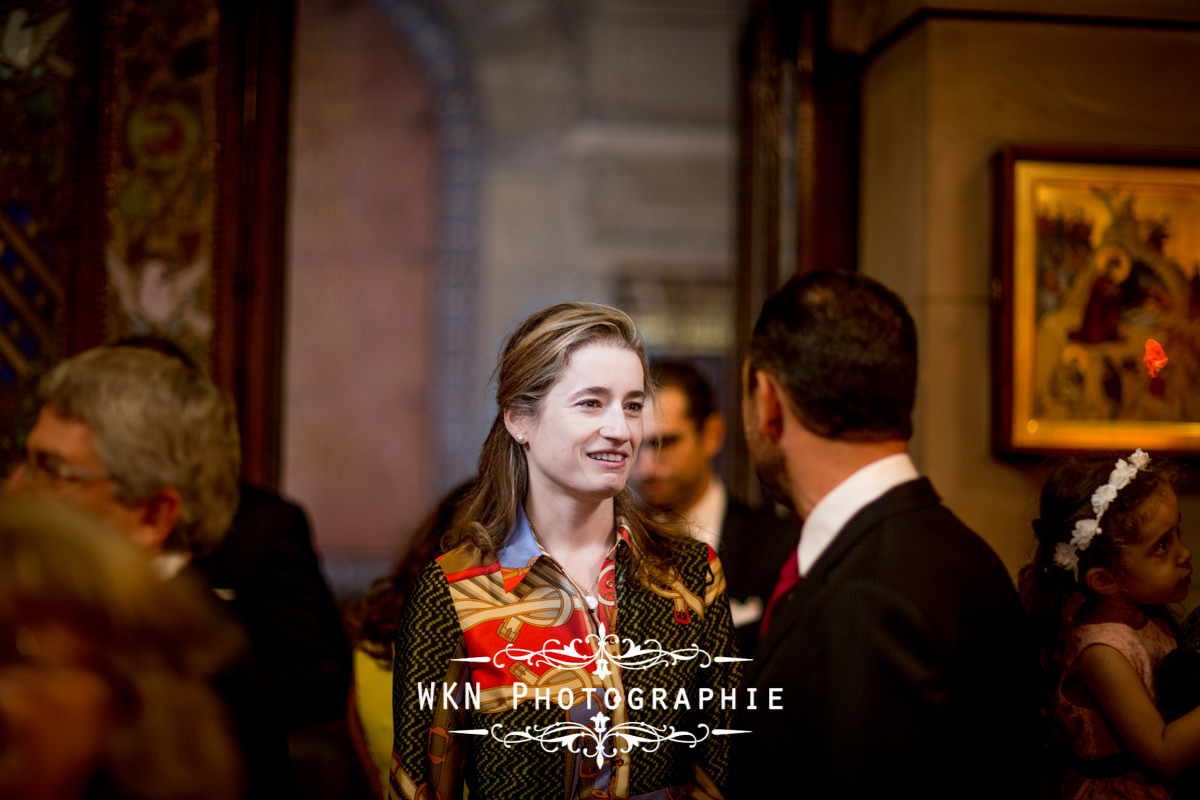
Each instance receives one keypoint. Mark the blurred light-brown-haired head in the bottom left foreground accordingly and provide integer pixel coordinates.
(105, 669)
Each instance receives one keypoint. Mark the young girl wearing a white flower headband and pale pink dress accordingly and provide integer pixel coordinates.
(1109, 563)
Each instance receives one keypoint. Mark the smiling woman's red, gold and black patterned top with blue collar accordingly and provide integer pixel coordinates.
(505, 681)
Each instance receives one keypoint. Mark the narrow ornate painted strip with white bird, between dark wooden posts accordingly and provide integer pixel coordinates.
(161, 191)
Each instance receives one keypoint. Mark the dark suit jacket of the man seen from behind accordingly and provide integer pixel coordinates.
(905, 667)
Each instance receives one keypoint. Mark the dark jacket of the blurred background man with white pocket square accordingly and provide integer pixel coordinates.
(754, 545)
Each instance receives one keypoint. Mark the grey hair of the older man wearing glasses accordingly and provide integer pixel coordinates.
(157, 423)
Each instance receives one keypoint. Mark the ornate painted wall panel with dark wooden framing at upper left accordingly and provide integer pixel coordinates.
(143, 155)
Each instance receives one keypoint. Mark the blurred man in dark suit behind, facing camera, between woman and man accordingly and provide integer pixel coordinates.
(683, 434)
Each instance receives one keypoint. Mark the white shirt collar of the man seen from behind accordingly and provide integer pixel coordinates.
(850, 497)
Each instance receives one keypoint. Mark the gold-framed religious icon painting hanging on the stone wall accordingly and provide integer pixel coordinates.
(1097, 300)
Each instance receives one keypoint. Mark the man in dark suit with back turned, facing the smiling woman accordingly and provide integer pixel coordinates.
(899, 653)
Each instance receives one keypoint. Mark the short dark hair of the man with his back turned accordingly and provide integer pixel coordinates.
(844, 348)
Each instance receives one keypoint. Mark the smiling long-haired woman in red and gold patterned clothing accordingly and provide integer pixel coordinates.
(560, 596)
